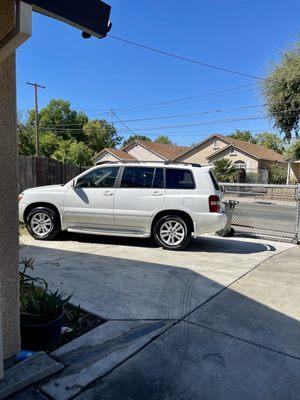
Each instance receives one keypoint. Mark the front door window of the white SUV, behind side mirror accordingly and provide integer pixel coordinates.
(99, 178)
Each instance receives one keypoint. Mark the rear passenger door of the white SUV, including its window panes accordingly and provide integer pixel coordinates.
(140, 195)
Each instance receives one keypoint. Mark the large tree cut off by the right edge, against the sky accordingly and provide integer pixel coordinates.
(281, 89)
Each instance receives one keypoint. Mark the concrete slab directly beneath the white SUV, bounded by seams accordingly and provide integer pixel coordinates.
(132, 279)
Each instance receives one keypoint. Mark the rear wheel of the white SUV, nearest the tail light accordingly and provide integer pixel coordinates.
(172, 232)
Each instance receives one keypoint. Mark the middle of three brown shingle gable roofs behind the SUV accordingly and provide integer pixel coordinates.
(166, 151)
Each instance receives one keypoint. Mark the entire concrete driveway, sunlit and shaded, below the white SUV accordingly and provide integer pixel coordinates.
(217, 321)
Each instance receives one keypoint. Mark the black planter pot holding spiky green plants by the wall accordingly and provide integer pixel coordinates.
(39, 337)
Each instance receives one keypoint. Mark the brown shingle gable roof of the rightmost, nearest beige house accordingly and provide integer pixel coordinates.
(259, 152)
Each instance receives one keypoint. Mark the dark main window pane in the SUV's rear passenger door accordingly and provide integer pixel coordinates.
(137, 177)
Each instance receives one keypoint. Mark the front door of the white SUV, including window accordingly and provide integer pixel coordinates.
(89, 204)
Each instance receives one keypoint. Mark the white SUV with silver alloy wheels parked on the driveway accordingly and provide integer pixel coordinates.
(169, 201)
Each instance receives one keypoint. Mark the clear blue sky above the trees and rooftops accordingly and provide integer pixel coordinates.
(99, 75)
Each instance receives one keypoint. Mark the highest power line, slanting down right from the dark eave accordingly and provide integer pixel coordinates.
(167, 53)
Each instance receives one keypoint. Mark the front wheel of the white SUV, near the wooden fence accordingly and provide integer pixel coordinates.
(43, 223)
